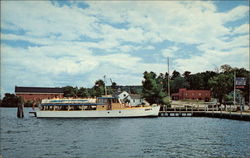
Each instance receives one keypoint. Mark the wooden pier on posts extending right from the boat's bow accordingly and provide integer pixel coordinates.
(204, 111)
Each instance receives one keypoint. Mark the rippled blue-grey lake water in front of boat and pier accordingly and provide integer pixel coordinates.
(131, 137)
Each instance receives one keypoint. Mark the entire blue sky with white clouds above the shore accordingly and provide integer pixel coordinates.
(60, 43)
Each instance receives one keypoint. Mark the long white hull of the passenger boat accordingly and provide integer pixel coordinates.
(129, 112)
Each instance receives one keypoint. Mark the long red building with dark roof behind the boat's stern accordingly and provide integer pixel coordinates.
(34, 93)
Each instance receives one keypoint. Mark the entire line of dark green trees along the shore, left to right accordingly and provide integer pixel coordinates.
(155, 88)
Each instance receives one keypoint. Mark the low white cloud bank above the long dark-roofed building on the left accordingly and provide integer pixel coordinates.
(48, 62)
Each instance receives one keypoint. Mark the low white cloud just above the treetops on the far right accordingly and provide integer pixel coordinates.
(237, 57)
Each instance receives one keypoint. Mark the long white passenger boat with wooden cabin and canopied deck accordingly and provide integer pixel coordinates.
(85, 108)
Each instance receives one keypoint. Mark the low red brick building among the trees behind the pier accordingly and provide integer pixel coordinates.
(192, 94)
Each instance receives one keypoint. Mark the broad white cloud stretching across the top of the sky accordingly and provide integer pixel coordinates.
(138, 23)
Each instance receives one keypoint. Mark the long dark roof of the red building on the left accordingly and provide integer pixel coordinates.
(38, 89)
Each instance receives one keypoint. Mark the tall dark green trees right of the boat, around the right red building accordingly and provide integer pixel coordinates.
(221, 83)
